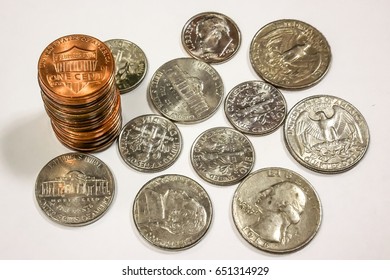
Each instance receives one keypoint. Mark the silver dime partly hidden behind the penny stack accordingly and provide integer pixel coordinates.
(131, 64)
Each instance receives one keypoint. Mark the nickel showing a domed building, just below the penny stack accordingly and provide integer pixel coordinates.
(75, 189)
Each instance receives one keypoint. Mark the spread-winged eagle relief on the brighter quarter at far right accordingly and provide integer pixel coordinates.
(323, 129)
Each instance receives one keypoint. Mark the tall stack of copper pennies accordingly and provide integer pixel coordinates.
(76, 74)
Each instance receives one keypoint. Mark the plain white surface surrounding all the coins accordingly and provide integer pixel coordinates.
(356, 204)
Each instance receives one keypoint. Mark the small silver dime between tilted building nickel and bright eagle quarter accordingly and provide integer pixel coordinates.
(255, 107)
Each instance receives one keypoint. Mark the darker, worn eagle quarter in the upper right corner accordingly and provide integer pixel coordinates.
(290, 54)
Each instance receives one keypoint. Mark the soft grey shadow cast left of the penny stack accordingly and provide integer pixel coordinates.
(27, 144)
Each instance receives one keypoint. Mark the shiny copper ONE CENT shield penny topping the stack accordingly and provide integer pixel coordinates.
(75, 67)
